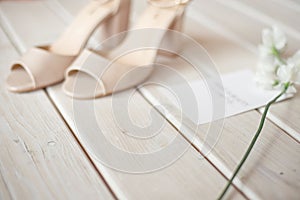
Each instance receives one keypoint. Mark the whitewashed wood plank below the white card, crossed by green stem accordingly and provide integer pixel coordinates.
(274, 158)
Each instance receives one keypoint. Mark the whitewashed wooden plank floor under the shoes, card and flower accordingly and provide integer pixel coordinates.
(44, 156)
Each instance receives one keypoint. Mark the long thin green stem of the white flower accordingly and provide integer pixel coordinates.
(263, 118)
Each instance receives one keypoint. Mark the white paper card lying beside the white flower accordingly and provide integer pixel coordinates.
(241, 95)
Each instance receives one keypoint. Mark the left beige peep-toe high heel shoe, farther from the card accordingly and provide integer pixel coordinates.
(45, 65)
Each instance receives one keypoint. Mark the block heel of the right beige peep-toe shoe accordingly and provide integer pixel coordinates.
(171, 40)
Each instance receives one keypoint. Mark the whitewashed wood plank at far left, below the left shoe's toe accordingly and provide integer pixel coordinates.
(39, 157)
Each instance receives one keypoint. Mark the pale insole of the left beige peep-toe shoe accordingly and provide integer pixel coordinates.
(70, 43)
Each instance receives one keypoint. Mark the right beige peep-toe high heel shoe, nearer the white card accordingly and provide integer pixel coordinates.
(92, 75)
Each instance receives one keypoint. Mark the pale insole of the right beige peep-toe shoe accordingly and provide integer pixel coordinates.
(140, 36)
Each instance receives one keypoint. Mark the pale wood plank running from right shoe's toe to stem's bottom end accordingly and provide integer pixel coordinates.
(189, 177)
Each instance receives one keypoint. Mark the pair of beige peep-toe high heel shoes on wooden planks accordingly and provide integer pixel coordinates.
(88, 74)
